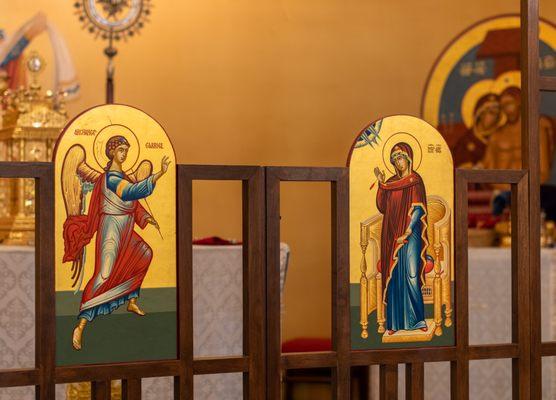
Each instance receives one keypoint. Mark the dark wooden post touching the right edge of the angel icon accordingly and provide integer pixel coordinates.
(183, 384)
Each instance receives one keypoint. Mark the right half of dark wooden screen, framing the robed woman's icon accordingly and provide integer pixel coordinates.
(342, 358)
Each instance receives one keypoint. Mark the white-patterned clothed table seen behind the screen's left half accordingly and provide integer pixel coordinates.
(217, 319)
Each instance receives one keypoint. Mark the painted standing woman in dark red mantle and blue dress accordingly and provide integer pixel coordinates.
(402, 201)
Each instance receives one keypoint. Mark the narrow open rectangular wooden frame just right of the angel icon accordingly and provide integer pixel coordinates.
(252, 363)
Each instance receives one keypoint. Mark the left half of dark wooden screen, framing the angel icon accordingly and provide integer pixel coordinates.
(252, 364)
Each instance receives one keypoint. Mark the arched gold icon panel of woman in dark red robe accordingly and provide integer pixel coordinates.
(401, 252)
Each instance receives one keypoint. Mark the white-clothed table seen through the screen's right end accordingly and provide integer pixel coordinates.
(490, 322)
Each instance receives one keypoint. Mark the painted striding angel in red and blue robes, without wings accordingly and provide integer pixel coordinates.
(122, 257)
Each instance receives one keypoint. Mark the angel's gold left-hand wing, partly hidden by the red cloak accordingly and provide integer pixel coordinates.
(77, 177)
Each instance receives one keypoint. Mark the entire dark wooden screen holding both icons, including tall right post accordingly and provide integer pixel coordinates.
(262, 361)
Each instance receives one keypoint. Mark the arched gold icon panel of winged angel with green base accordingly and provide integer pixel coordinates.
(115, 227)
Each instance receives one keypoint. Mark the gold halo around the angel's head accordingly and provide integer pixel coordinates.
(105, 134)
